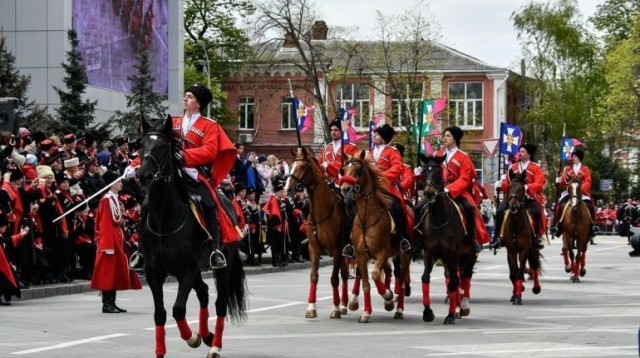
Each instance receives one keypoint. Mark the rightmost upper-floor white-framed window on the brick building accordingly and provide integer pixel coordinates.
(465, 104)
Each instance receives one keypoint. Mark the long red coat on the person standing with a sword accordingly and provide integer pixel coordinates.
(111, 270)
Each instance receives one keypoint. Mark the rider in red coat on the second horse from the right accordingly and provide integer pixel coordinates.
(534, 183)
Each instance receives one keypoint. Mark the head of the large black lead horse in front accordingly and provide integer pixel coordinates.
(160, 153)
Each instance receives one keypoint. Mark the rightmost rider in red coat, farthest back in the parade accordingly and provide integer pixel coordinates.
(582, 173)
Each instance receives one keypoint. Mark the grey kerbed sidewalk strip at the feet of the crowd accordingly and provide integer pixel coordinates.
(79, 286)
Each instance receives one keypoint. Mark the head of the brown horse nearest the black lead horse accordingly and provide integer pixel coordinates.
(303, 171)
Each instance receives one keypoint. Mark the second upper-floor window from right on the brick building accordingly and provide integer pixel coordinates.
(405, 100)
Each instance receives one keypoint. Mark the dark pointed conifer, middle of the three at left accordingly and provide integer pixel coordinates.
(73, 110)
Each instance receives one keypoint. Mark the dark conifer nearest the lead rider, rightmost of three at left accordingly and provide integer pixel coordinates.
(144, 104)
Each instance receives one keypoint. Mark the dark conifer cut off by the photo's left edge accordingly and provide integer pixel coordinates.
(13, 84)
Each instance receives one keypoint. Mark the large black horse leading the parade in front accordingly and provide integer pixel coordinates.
(174, 243)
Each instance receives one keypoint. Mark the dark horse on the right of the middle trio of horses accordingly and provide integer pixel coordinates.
(442, 231)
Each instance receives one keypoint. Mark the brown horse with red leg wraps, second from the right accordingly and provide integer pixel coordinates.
(518, 233)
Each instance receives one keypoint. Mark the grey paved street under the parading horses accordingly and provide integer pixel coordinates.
(598, 317)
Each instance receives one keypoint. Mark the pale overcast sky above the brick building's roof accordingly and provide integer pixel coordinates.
(479, 28)
